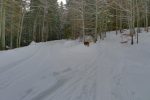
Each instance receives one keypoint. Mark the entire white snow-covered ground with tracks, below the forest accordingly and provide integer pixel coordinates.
(68, 70)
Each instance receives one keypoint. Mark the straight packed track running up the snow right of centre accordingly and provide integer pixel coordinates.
(104, 76)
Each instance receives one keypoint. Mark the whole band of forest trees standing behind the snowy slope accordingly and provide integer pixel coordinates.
(23, 21)
